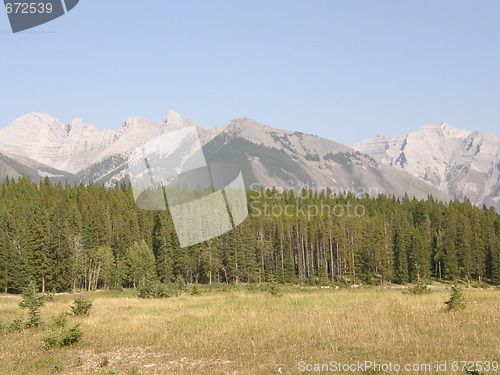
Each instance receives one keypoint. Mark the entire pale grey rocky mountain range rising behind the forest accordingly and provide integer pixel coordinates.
(438, 160)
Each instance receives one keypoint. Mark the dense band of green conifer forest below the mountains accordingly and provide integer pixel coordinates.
(87, 237)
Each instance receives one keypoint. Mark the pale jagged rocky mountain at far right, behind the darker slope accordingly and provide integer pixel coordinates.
(459, 162)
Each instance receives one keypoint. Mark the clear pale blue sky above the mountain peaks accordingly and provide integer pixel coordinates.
(345, 70)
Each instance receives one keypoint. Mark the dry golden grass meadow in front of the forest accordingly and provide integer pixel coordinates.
(241, 331)
